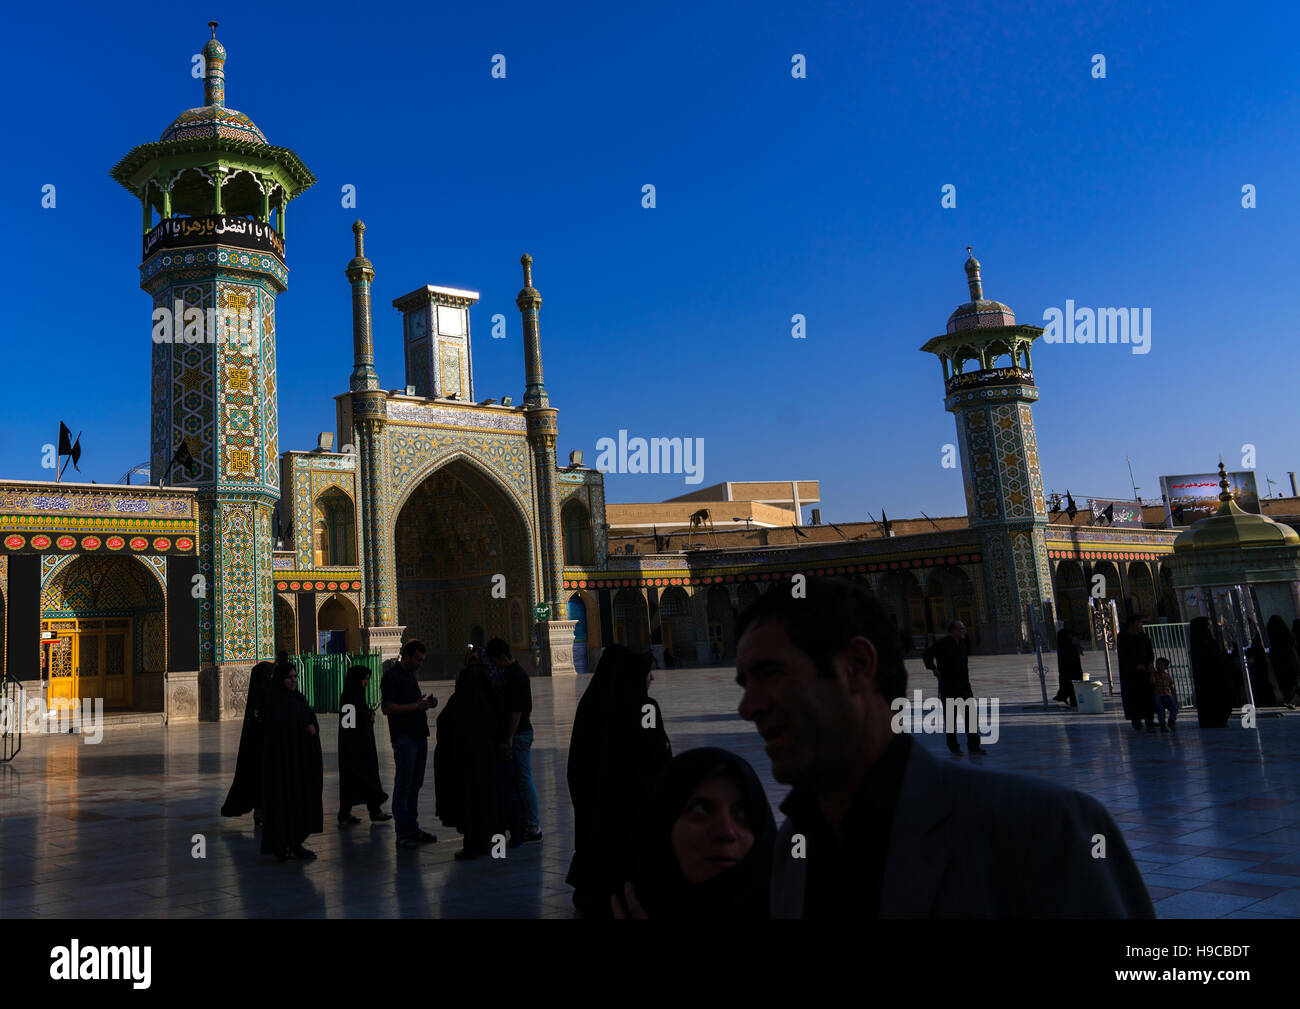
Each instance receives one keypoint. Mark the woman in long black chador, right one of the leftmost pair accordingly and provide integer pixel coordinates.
(293, 772)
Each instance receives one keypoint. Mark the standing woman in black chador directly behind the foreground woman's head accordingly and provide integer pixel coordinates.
(617, 752)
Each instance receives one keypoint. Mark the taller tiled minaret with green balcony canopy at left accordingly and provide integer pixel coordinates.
(214, 265)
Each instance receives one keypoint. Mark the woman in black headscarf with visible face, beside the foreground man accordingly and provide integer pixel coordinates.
(705, 845)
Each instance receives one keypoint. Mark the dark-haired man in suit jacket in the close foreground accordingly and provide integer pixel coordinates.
(878, 828)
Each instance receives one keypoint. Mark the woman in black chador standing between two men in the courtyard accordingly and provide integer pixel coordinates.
(465, 761)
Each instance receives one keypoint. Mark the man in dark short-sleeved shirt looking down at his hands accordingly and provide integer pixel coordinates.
(409, 729)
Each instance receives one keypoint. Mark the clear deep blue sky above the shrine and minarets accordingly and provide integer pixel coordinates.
(775, 197)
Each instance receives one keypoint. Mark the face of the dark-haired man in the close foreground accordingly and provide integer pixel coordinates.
(809, 722)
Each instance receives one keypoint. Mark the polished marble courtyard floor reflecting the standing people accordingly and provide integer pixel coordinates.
(109, 830)
